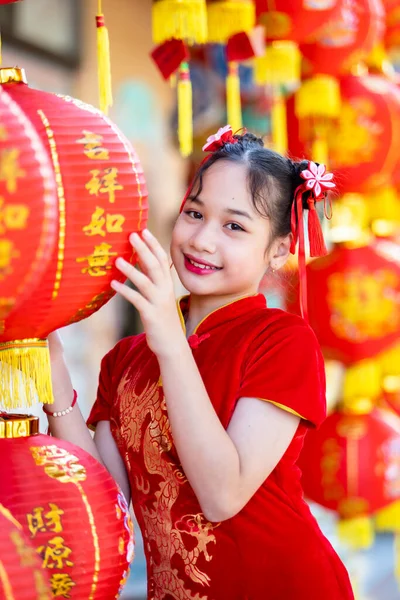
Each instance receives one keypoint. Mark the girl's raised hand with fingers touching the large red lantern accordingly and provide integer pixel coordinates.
(154, 298)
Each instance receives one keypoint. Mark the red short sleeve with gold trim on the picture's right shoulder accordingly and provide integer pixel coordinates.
(286, 368)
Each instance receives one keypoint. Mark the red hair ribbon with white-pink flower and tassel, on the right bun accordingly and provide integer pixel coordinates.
(316, 183)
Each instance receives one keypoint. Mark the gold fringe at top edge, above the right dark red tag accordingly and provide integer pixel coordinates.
(225, 18)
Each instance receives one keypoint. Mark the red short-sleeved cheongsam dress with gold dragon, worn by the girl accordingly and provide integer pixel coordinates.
(273, 549)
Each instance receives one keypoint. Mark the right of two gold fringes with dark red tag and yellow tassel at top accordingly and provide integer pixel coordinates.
(226, 20)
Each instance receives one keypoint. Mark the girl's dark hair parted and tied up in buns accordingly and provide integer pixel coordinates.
(272, 179)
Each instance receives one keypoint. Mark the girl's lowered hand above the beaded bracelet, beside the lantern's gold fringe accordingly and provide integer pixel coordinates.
(60, 377)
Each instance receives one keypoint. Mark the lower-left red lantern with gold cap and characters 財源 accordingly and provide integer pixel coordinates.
(70, 508)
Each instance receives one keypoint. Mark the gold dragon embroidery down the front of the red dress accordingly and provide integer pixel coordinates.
(160, 529)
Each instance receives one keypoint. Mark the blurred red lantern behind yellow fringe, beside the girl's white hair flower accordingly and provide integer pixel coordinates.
(362, 149)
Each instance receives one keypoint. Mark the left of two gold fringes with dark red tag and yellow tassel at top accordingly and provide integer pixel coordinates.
(183, 21)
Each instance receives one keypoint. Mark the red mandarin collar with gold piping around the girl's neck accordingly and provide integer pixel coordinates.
(223, 314)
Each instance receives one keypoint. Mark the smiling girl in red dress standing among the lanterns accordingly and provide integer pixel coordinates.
(201, 419)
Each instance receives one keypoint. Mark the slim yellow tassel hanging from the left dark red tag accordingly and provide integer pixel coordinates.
(185, 111)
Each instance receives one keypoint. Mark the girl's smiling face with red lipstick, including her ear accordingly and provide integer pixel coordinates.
(220, 244)
